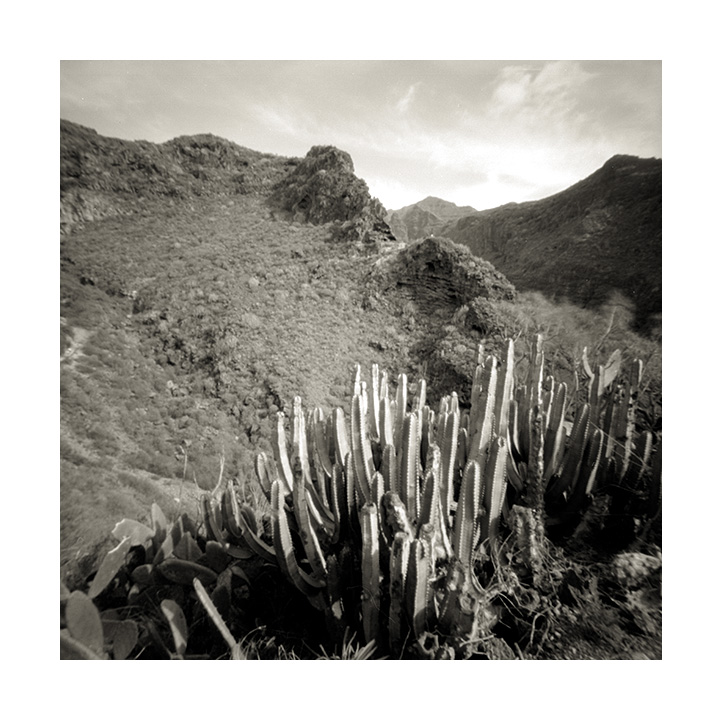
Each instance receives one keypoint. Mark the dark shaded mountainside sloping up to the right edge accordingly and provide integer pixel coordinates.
(601, 235)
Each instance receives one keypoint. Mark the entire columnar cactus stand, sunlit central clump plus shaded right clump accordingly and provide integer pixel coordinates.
(418, 497)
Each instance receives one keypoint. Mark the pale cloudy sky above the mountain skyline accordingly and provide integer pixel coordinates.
(473, 132)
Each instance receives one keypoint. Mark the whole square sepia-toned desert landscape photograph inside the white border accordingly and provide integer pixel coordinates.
(360, 359)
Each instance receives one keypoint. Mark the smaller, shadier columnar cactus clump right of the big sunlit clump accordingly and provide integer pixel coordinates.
(554, 473)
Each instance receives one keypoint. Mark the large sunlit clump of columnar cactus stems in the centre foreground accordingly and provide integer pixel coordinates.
(423, 495)
